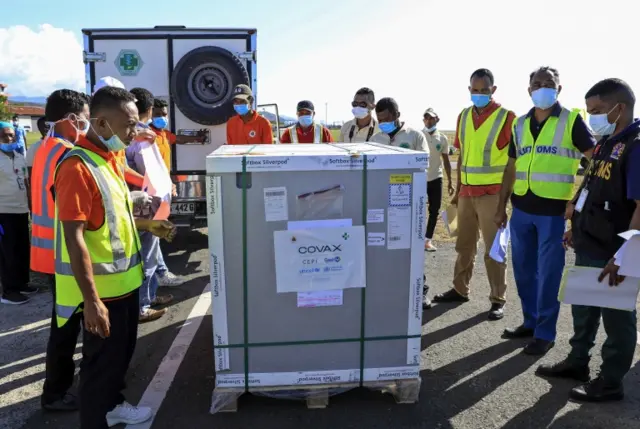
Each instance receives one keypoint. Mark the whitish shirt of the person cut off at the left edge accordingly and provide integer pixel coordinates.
(13, 189)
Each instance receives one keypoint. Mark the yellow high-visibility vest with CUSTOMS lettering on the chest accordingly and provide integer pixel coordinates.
(547, 169)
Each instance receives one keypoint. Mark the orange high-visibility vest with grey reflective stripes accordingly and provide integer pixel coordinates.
(42, 204)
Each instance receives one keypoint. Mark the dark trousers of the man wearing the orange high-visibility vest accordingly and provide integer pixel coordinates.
(60, 367)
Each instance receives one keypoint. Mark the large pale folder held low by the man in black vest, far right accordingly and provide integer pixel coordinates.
(580, 286)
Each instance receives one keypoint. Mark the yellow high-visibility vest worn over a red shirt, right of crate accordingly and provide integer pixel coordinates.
(482, 163)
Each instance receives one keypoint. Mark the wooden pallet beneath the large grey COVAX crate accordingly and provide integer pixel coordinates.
(317, 396)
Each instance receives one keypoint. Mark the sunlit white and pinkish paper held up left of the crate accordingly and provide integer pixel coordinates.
(157, 181)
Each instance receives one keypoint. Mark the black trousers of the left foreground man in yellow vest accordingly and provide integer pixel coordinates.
(105, 363)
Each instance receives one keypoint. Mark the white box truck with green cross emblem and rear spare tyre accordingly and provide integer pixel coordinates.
(195, 71)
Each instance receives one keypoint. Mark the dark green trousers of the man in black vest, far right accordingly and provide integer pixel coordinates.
(620, 326)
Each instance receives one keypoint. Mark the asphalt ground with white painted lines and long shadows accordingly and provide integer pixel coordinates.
(471, 377)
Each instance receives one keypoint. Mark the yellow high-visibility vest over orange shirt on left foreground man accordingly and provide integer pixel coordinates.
(114, 248)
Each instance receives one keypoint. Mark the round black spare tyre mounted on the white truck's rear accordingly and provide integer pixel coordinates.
(202, 84)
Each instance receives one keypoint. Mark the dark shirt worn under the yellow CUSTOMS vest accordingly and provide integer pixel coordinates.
(582, 139)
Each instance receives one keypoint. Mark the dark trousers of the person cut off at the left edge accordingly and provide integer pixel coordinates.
(15, 251)
